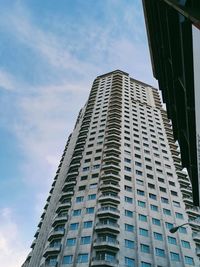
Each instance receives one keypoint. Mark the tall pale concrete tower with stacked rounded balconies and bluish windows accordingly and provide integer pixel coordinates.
(119, 187)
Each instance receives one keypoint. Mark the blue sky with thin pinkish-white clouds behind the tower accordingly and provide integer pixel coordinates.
(51, 51)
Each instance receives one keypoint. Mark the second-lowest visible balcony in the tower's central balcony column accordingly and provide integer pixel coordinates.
(106, 243)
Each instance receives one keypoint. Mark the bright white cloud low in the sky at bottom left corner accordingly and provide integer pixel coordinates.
(12, 248)
